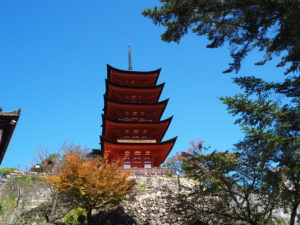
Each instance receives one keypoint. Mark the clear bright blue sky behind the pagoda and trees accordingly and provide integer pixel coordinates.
(53, 57)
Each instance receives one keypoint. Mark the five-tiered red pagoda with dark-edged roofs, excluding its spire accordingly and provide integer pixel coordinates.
(132, 125)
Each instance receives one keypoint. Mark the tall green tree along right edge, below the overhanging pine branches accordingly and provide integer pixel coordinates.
(269, 115)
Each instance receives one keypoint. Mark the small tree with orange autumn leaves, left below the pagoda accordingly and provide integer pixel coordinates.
(91, 183)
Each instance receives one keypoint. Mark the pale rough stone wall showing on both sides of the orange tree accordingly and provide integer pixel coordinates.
(147, 204)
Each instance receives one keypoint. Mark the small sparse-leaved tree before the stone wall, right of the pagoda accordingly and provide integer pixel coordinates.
(230, 190)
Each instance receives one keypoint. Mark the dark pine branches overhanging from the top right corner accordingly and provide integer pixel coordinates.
(270, 26)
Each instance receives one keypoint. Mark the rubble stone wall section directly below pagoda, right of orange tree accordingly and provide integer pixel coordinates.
(151, 202)
